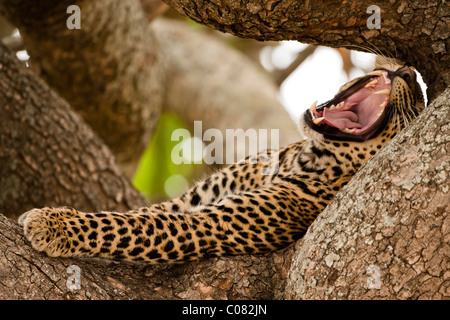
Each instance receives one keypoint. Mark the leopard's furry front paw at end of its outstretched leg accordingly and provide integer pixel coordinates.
(46, 229)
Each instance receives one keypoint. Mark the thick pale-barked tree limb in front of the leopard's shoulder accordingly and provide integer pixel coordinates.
(391, 221)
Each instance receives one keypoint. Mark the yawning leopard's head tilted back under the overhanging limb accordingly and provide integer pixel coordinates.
(385, 99)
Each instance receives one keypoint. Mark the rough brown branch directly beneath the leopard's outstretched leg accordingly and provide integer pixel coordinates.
(27, 274)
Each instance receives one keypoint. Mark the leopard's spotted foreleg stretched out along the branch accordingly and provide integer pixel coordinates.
(246, 223)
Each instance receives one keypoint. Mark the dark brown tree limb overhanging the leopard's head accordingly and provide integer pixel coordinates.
(413, 31)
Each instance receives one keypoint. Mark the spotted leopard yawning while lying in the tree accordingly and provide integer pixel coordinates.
(247, 207)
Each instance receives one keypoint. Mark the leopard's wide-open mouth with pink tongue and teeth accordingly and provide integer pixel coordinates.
(356, 113)
